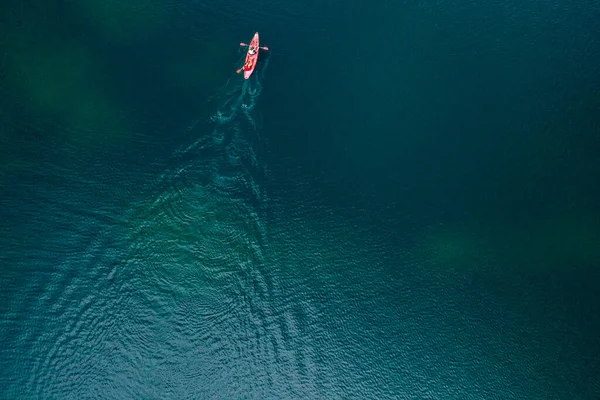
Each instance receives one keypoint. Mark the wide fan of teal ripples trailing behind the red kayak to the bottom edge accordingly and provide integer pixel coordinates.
(174, 295)
